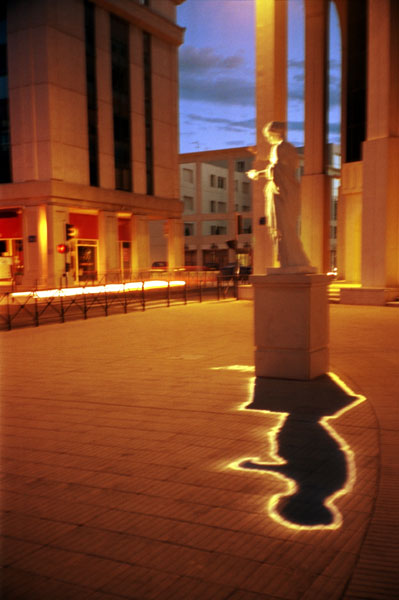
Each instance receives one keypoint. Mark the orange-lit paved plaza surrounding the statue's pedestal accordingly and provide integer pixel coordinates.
(132, 470)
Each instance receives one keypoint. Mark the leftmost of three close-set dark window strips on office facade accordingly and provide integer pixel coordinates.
(91, 87)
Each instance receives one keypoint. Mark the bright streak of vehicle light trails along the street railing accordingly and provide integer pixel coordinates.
(100, 289)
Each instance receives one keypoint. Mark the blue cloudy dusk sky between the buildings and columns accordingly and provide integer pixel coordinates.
(217, 74)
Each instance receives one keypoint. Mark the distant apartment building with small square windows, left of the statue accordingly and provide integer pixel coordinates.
(217, 206)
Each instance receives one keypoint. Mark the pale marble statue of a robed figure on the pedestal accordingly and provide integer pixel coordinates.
(282, 200)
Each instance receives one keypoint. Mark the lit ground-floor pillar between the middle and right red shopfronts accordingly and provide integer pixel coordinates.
(109, 260)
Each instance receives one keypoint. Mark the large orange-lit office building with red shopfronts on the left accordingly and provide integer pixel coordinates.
(89, 138)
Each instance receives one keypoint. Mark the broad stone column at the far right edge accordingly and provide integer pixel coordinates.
(380, 217)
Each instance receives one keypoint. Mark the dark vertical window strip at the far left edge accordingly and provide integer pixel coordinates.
(5, 148)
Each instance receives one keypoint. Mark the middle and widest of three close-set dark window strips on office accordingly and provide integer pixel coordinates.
(121, 103)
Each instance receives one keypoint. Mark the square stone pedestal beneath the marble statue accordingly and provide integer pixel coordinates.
(291, 325)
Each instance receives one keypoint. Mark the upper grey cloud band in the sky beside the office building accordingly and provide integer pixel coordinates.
(203, 60)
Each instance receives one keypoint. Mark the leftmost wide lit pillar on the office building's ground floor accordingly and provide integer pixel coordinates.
(35, 247)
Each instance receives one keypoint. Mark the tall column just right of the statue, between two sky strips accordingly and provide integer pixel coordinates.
(315, 185)
